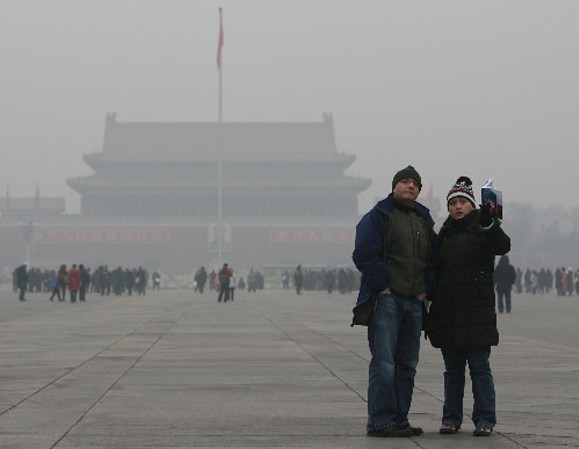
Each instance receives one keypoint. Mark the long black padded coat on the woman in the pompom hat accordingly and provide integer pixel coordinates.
(462, 313)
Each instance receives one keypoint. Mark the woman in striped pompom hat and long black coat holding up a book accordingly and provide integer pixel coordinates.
(462, 313)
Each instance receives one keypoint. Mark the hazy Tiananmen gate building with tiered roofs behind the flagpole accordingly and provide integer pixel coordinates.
(170, 196)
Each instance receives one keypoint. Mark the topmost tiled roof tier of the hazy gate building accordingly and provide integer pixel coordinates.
(202, 141)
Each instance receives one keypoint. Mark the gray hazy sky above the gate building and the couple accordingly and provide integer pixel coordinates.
(480, 88)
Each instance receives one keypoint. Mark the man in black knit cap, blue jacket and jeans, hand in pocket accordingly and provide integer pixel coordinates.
(393, 250)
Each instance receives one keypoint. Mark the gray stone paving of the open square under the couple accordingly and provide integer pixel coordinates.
(176, 369)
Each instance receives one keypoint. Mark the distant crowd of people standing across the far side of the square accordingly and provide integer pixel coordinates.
(564, 281)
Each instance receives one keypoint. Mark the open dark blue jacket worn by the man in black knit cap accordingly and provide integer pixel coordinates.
(369, 255)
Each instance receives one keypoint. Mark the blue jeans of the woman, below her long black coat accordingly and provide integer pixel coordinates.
(483, 389)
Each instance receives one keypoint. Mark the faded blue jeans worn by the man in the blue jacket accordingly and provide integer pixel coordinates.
(394, 339)
